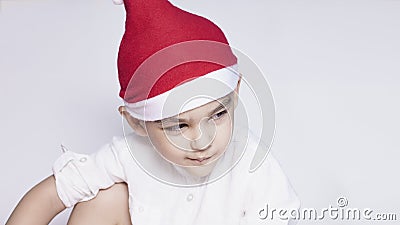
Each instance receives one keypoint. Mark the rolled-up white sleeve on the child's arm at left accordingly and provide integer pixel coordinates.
(79, 177)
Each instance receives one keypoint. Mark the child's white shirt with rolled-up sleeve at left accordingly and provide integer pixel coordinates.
(235, 198)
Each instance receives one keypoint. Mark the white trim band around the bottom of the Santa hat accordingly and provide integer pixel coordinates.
(187, 96)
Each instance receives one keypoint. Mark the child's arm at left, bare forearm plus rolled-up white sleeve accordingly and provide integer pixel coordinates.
(77, 178)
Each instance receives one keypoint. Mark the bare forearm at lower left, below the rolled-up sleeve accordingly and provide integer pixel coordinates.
(39, 206)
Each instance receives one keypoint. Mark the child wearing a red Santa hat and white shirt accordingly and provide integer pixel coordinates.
(188, 160)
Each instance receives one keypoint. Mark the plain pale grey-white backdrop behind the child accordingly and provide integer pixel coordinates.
(333, 66)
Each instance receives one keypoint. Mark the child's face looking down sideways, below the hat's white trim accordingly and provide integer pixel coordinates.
(195, 138)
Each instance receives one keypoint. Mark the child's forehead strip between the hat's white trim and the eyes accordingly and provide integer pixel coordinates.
(206, 109)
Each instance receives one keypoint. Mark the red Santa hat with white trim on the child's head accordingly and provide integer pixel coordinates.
(171, 61)
